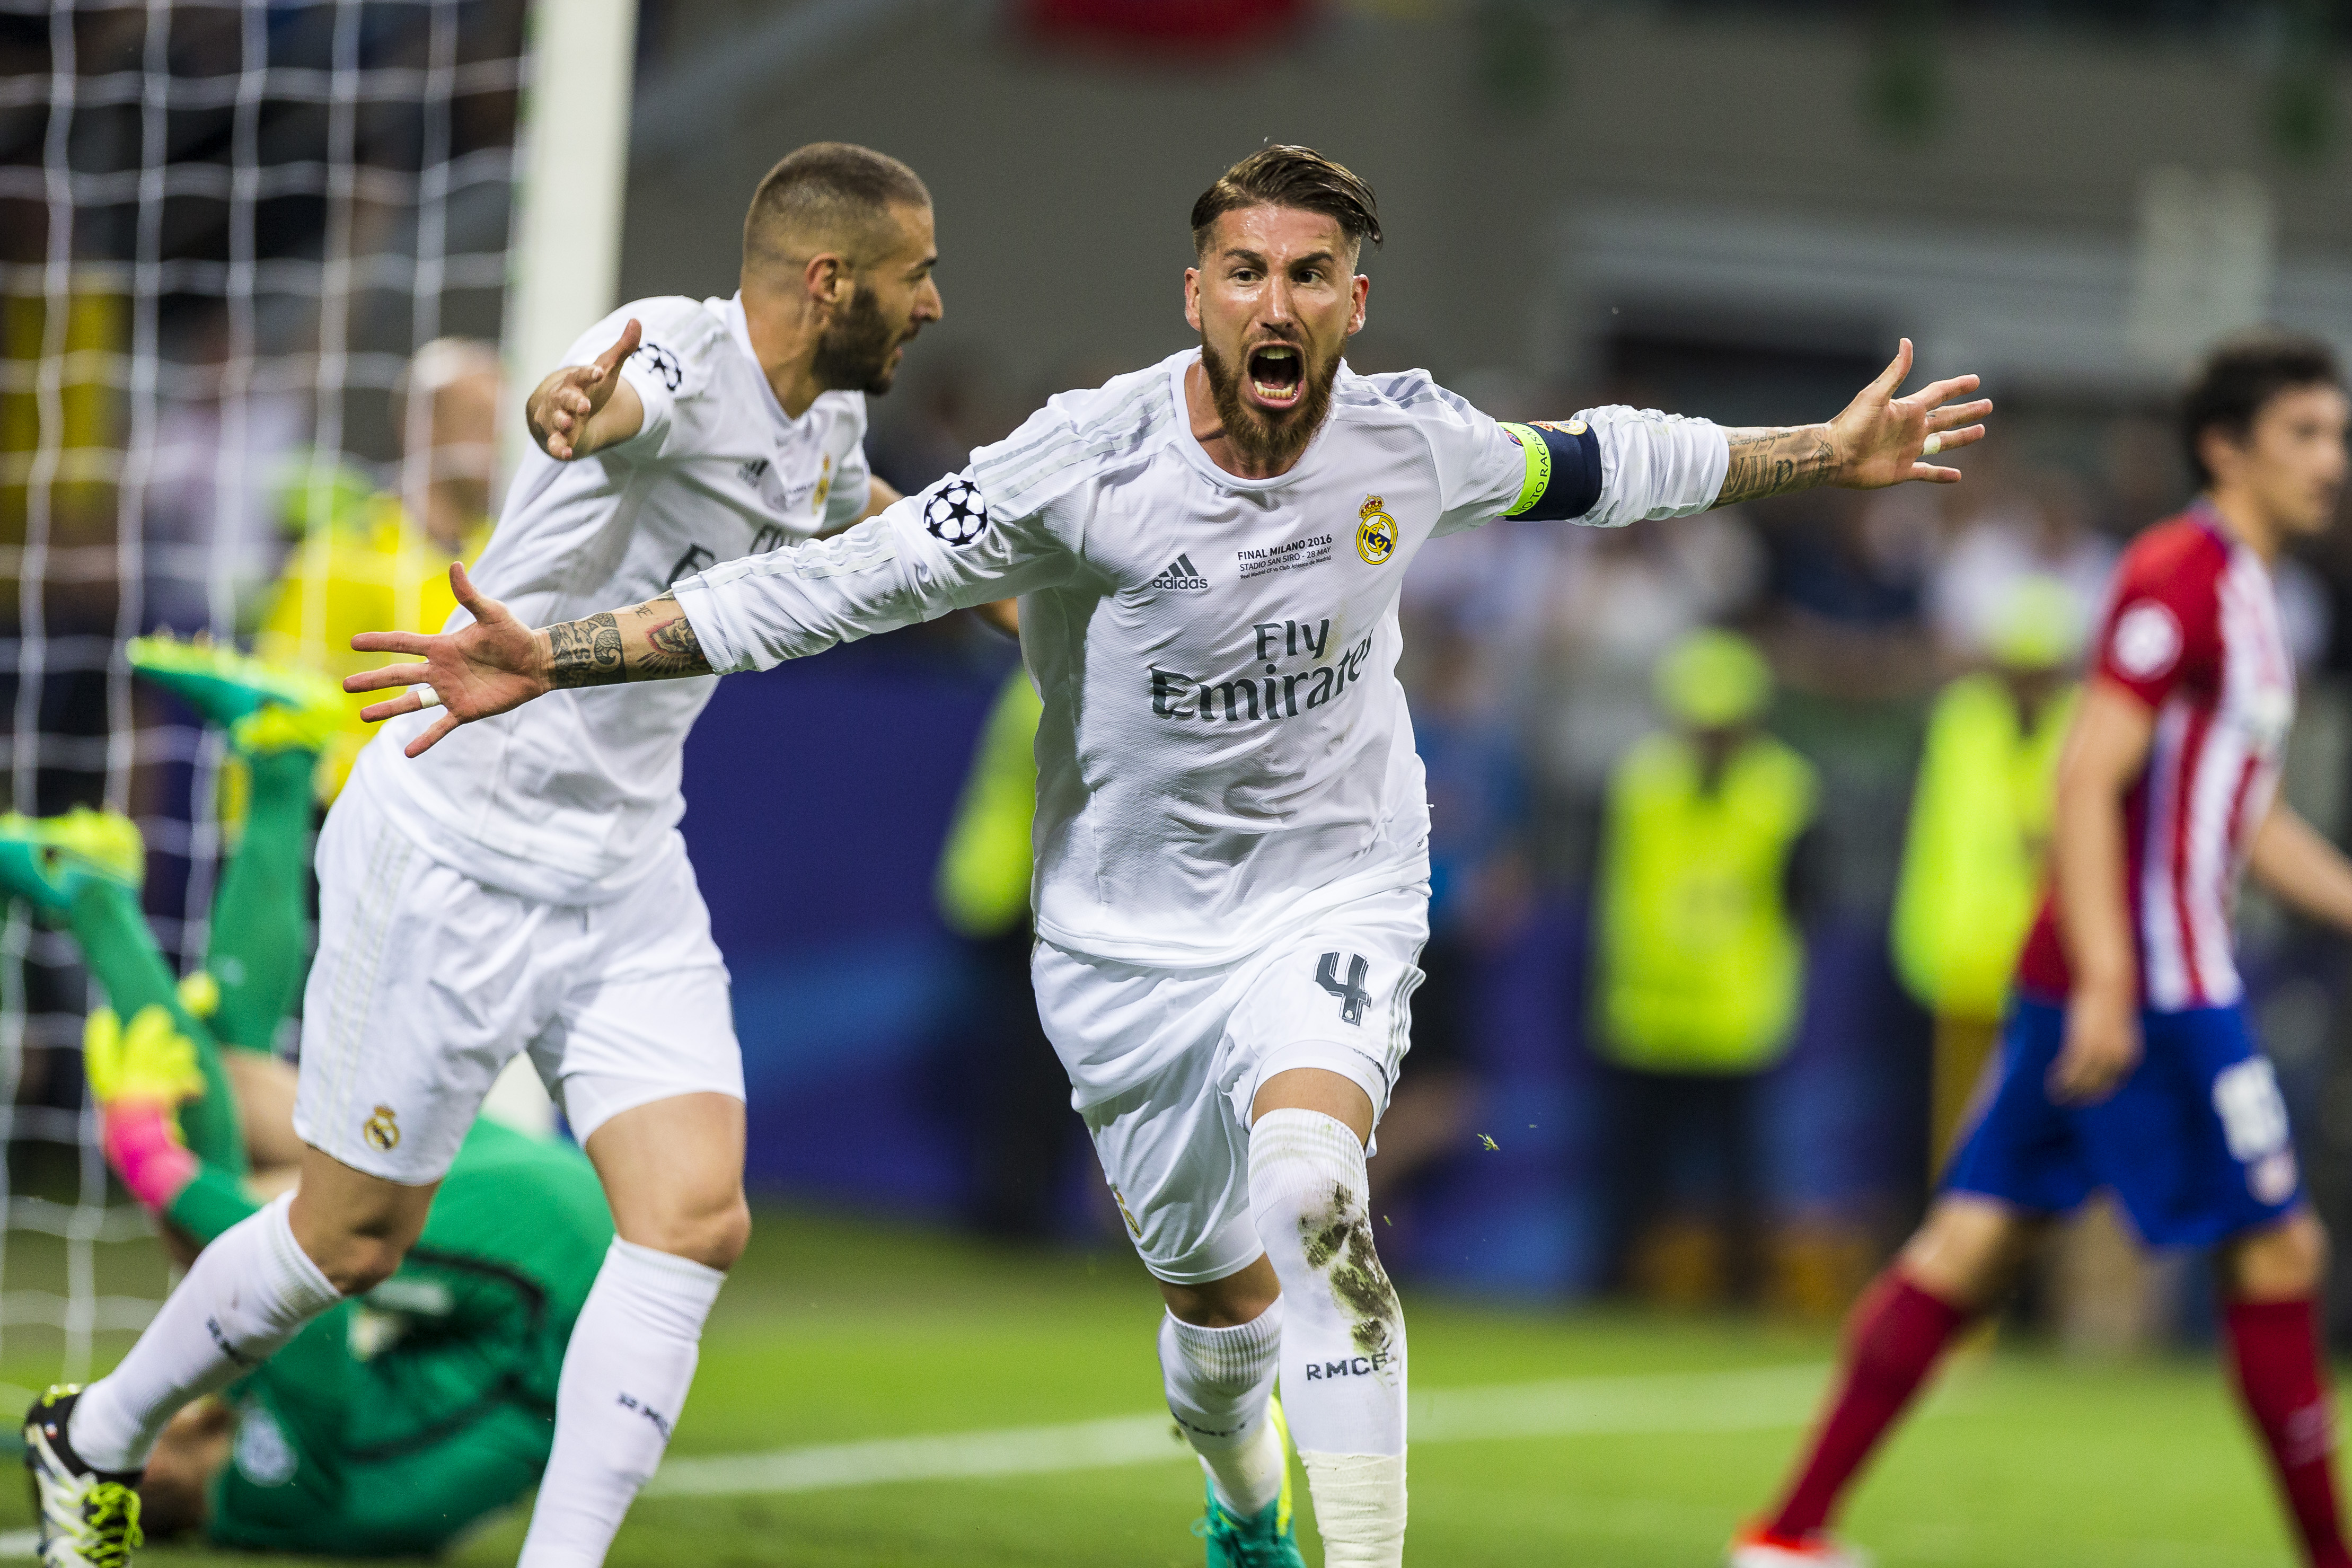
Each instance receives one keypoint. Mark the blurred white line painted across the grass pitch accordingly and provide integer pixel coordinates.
(1568, 1407)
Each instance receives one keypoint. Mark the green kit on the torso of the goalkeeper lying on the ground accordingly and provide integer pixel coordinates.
(406, 1416)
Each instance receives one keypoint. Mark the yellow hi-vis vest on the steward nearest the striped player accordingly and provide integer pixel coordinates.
(1977, 847)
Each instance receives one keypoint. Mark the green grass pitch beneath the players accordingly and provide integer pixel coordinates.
(836, 1332)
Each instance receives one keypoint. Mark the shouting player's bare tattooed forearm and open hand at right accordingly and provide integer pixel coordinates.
(1876, 443)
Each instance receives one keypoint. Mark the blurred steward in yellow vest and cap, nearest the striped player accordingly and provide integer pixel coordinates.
(1977, 847)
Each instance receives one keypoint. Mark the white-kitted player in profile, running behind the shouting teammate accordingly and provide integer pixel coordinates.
(526, 887)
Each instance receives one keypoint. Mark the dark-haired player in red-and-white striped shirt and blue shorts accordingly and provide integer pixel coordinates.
(2127, 1059)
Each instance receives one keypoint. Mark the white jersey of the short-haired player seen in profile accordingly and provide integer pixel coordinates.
(568, 798)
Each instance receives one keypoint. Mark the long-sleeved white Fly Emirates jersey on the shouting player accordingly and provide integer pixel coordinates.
(1224, 744)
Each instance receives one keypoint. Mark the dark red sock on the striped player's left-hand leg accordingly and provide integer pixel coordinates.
(1892, 1343)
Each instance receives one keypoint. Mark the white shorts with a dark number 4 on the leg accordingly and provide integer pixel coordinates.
(1168, 1064)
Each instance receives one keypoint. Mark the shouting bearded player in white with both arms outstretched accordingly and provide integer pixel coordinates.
(1231, 824)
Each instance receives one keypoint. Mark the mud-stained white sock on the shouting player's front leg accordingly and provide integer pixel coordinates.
(1342, 1336)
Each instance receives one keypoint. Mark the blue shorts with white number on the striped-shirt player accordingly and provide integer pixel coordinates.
(2196, 1141)
